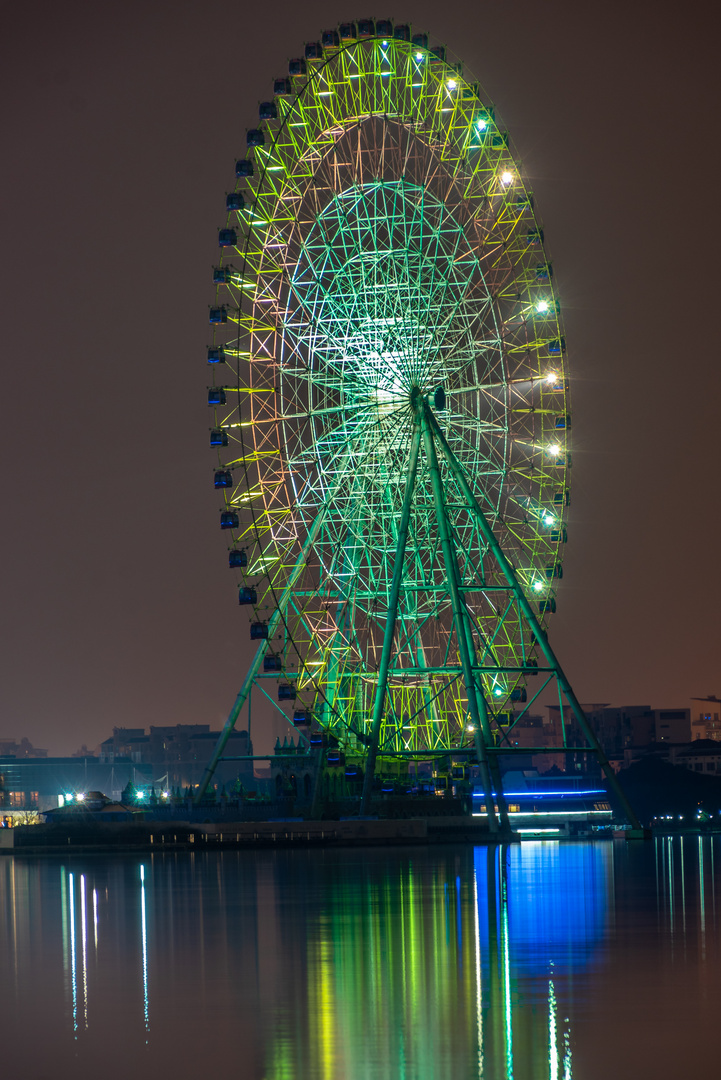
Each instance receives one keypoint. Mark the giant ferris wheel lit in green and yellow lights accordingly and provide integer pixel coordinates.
(391, 418)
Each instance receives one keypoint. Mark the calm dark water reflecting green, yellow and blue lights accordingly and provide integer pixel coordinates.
(541, 961)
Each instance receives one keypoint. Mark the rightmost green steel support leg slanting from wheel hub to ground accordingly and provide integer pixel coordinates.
(525, 606)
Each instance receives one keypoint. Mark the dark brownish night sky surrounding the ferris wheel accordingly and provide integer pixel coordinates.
(121, 128)
